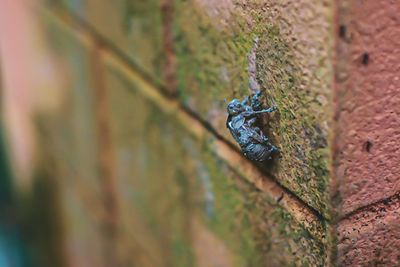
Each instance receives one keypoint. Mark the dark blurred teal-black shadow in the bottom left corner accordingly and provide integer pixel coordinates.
(29, 224)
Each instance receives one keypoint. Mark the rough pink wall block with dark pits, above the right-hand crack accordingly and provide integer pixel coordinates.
(368, 103)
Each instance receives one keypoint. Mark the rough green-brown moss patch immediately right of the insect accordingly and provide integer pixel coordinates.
(302, 166)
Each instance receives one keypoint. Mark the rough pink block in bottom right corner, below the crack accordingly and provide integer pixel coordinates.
(371, 236)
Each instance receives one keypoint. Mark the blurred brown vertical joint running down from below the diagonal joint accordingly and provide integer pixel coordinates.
(106, 159)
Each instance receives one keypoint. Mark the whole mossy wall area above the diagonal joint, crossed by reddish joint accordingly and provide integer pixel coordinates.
(226, 49)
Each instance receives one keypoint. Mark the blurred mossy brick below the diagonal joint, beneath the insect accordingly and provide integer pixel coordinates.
(184, 198)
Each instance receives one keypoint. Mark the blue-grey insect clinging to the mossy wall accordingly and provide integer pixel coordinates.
(242, 122)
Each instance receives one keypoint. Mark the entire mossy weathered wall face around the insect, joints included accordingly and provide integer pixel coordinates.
(132, 141)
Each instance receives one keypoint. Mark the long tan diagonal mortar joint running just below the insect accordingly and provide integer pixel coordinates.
(310, 218)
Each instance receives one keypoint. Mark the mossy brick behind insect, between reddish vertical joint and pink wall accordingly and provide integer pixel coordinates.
(227, 49)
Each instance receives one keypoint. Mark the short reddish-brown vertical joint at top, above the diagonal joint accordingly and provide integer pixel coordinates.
(169, 68)
